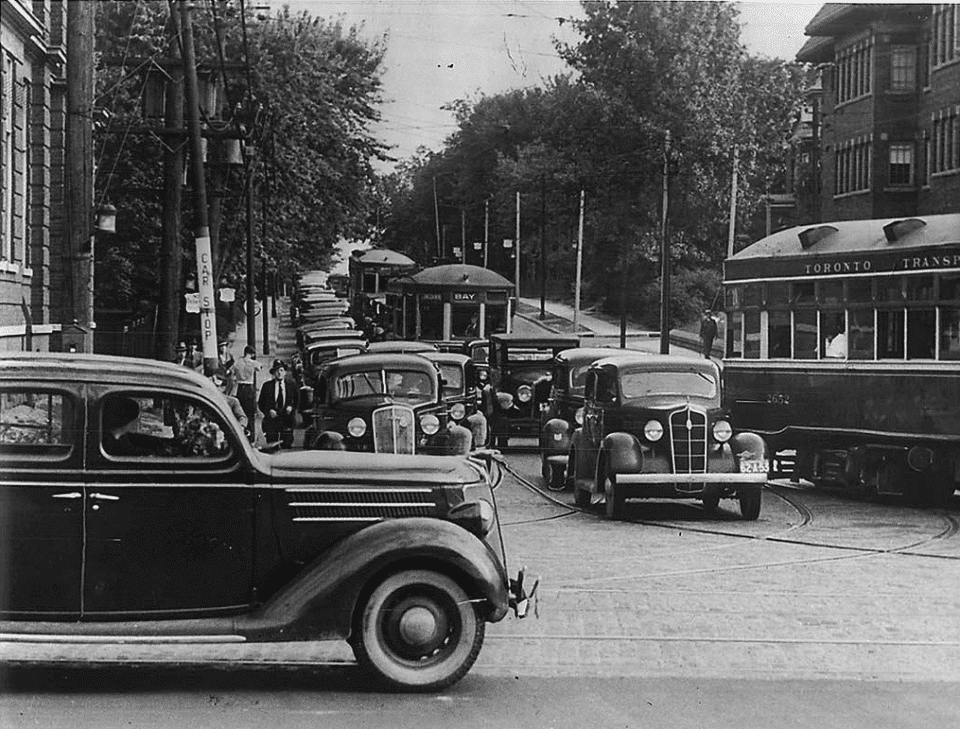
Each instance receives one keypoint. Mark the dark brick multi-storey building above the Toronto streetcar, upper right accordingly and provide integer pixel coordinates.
(883, 134)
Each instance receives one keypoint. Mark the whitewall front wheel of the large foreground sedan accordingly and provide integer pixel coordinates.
(418, 631)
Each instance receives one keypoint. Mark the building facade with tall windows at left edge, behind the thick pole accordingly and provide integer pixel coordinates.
(32, 143)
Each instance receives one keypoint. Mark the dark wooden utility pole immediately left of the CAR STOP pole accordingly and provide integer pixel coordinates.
(171, 252)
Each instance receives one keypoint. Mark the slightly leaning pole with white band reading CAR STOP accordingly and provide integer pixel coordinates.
(208, 318)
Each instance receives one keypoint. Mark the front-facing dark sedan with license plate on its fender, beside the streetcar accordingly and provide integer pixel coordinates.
(653, 427)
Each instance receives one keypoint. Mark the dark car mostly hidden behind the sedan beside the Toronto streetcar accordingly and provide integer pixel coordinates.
(563, 413)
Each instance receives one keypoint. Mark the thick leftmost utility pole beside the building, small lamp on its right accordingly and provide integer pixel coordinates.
(79, 168)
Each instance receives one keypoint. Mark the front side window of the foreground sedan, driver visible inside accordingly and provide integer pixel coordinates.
(161, 426)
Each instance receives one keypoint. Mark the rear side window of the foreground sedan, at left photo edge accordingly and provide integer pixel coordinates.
(36, 422)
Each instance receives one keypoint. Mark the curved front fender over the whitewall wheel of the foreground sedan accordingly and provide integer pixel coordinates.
(321, 601)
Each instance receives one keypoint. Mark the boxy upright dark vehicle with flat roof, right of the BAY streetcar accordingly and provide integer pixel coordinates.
(520, 376)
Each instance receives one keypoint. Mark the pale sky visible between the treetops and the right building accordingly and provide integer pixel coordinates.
(442, 50)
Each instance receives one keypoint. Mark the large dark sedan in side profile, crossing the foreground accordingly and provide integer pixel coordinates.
(133, 508)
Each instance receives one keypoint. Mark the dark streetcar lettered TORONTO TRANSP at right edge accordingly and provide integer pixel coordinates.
(843, 352)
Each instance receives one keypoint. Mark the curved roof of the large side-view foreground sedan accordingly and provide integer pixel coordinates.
(100, 368)
